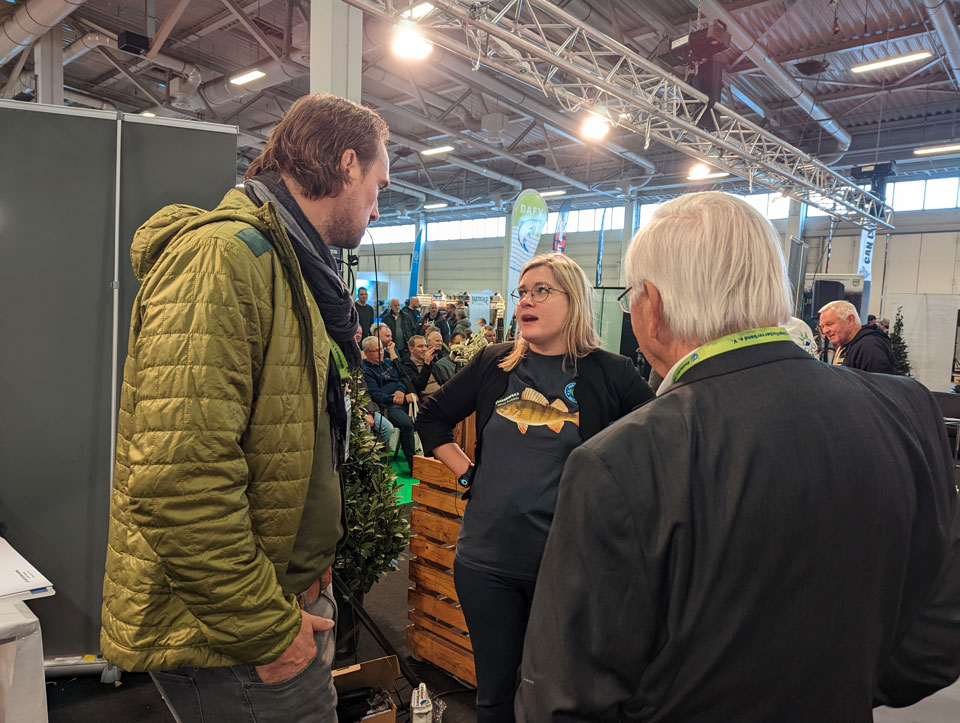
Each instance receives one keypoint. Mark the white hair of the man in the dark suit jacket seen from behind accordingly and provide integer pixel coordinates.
(717, 264)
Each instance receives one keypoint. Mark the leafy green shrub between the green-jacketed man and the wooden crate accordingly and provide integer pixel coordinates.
(376, 527)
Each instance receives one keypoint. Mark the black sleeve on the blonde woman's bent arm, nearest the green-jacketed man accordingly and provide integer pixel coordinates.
(453, 402)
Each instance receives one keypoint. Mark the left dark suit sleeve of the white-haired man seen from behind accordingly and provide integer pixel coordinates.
(594, 617)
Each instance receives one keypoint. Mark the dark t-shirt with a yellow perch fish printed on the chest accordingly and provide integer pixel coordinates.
(525, 445)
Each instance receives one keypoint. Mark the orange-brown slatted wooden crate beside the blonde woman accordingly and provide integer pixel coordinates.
(437, 631)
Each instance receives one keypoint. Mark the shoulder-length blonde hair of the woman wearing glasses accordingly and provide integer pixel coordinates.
(579, 336)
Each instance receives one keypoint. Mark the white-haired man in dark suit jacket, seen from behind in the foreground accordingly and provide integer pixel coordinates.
(719, 554)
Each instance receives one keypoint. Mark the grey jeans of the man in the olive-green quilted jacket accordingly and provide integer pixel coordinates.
(237, 695)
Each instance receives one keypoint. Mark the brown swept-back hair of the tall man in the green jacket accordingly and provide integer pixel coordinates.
(310, 141)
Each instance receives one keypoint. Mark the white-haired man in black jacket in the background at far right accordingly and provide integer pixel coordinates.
(859, 347)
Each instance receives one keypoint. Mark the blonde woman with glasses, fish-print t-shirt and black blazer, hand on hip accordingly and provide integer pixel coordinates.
(536, 400)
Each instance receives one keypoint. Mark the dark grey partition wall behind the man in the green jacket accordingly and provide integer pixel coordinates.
(58, 205)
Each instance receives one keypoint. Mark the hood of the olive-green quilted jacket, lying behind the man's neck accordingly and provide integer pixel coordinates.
(170, 222)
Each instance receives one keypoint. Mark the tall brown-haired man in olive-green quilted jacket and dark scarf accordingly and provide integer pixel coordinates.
(226, 509)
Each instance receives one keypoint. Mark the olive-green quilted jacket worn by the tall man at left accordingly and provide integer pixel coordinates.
(215, 444)
